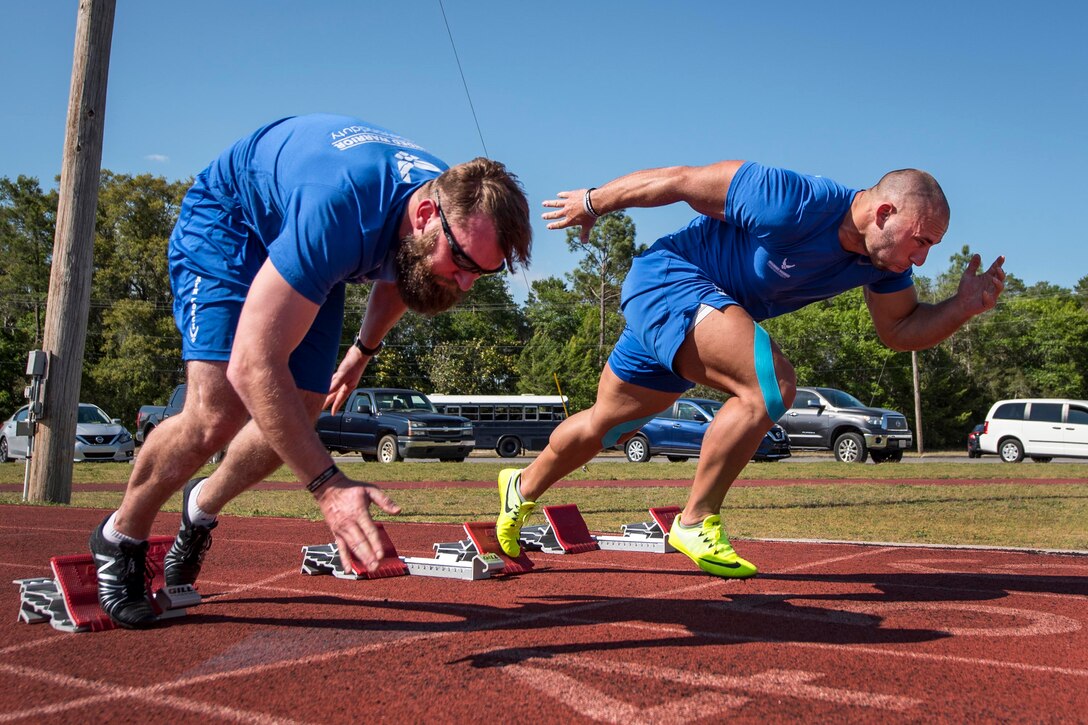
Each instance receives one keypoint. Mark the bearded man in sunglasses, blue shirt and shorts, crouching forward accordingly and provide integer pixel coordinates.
(266, 241)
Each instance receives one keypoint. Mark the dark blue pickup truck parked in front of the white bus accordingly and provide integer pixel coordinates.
(391, 424)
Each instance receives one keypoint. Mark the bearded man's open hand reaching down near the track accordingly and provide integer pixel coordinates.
(347, 507)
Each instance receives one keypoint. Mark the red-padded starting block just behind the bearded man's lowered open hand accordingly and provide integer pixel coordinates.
(477, 558)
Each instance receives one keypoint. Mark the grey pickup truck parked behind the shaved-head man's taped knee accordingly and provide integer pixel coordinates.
(833, 421)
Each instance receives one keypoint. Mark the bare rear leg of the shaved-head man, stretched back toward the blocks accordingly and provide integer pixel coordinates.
(580, 438)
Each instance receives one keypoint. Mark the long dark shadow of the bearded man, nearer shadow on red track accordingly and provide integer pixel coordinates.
(704, 622)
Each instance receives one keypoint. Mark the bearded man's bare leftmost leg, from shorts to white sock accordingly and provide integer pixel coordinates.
(180, 447)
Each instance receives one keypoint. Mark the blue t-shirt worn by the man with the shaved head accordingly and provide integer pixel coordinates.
(778, 249)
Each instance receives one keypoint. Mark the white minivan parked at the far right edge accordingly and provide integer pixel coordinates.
(1038, 428)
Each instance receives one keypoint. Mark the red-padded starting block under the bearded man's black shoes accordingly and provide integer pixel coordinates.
(69, 601)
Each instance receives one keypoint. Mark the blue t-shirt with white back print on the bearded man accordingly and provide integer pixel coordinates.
(324, 196)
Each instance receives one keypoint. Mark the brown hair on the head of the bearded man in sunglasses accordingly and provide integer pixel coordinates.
(486, 187)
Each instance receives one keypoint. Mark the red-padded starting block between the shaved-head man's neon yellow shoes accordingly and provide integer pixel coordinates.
(566, 533)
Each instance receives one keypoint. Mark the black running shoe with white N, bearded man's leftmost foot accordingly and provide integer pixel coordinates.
(122, 581)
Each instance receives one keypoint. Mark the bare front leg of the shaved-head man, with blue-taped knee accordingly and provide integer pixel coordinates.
(720, 353)
